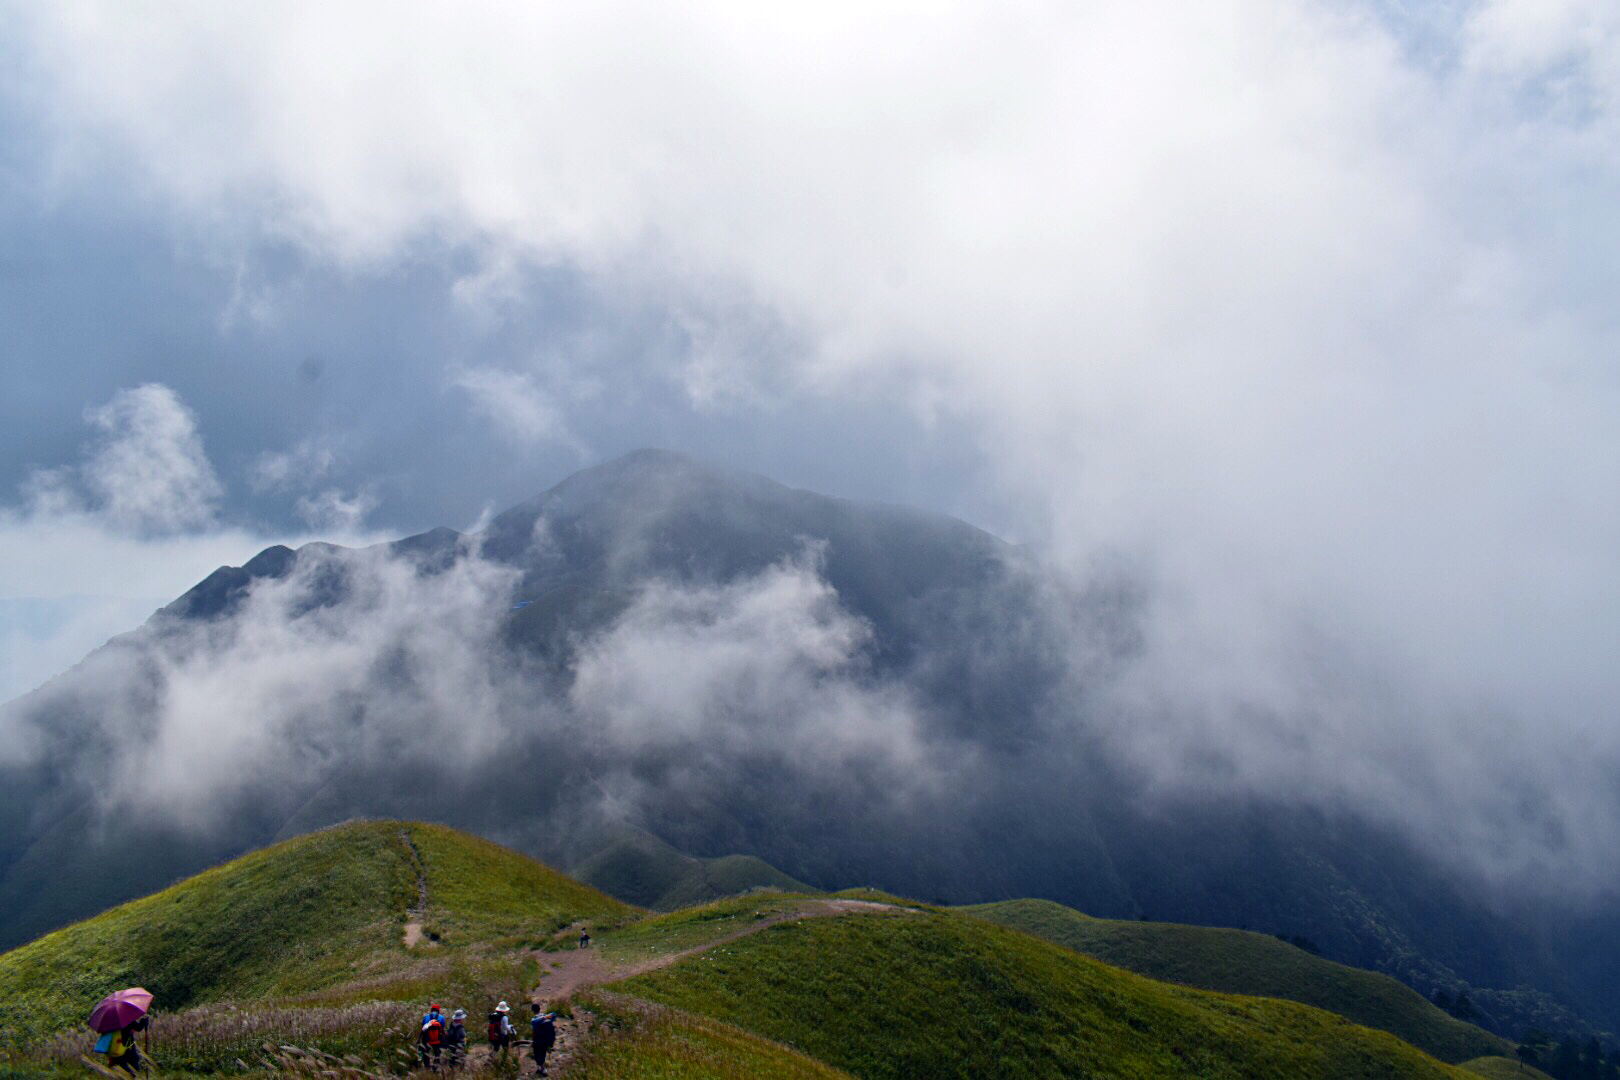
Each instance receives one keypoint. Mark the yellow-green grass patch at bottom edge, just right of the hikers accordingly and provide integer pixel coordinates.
(673, 1045)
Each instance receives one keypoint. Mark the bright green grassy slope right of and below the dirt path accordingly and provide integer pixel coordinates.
(945, 995)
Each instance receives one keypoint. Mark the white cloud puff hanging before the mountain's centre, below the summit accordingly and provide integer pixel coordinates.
(770, 665)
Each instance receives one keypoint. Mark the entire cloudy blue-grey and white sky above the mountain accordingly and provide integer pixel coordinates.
(1307, 307)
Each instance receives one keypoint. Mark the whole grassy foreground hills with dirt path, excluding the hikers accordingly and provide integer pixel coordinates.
(296, 958)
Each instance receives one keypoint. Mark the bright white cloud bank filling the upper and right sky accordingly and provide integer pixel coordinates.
(1308, 318)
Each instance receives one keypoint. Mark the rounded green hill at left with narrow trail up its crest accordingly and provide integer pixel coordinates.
(289, 921)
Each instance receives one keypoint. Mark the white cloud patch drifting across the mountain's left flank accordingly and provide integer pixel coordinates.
(304, 684)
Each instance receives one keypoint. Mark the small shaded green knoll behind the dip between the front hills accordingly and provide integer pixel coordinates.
(642, 870)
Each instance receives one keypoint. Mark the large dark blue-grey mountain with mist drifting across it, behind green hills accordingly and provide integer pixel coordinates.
(856, 694)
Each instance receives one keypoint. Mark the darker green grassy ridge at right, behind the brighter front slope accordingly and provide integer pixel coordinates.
(1240, 963)
